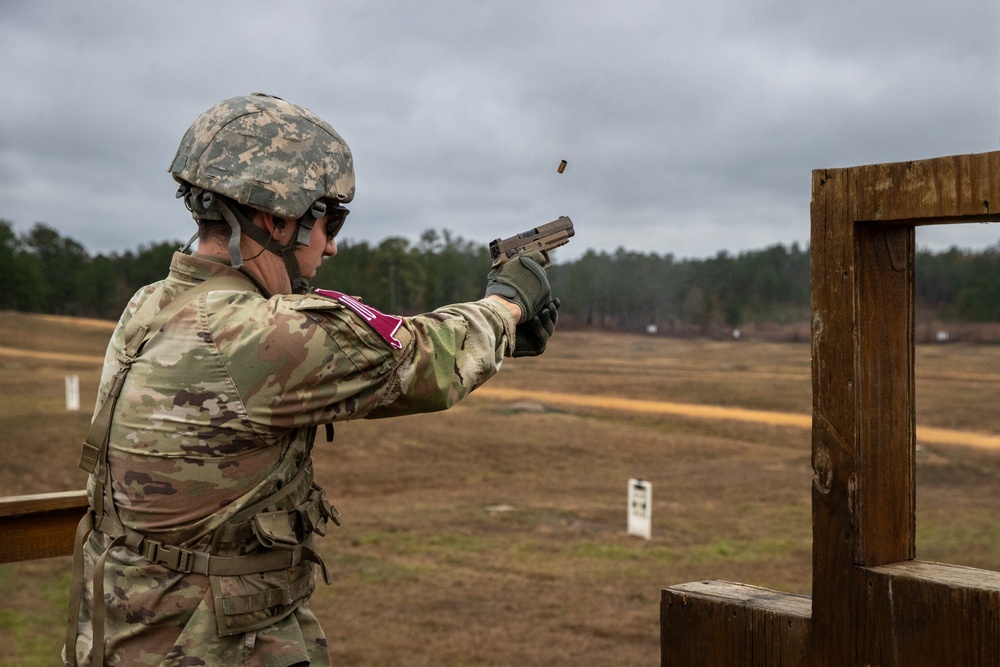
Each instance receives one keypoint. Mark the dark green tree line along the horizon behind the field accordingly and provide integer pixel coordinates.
(46, 272)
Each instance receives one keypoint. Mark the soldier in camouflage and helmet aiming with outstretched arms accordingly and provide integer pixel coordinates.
(198, 549)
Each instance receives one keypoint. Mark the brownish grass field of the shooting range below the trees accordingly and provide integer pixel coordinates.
(494, 534)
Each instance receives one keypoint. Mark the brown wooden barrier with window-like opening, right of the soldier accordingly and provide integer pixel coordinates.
(871, 603)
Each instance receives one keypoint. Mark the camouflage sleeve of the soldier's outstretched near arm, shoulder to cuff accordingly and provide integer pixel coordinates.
(311, 360)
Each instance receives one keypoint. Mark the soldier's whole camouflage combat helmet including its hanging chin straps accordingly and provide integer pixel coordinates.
(270, 155)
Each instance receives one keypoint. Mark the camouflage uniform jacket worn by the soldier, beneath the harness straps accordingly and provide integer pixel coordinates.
(219, 412)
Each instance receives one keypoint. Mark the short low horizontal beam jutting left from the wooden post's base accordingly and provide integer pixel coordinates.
(733, 625)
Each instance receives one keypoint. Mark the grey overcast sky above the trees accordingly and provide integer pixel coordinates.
(689, 126)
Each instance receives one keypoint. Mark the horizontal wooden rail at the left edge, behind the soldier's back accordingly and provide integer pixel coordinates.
(39, 526)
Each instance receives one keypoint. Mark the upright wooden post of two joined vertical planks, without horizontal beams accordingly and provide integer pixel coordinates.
(863, 410)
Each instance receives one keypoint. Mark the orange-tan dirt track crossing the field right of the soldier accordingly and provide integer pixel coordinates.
(938, 436)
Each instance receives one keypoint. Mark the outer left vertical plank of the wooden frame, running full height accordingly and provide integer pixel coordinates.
(835, 431)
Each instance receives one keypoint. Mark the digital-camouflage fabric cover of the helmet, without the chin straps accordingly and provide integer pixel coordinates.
(267, 153)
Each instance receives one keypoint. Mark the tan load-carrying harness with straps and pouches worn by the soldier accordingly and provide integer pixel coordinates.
(259, 563)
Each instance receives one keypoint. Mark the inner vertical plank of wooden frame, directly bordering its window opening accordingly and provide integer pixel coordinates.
(885, 483)
